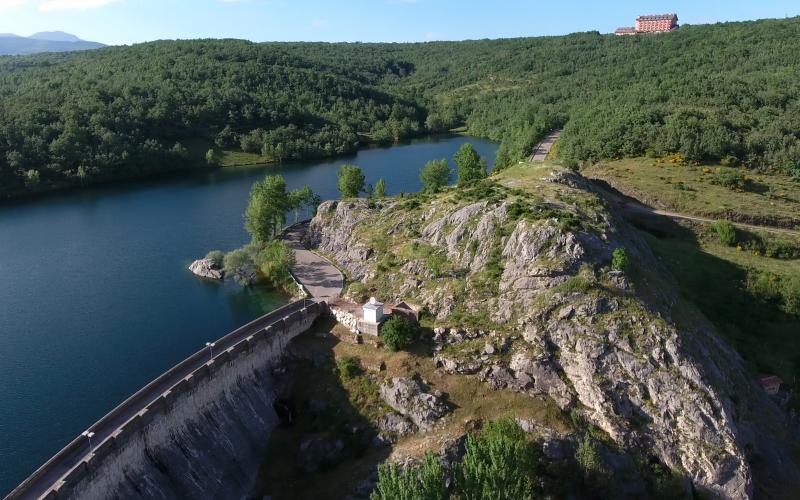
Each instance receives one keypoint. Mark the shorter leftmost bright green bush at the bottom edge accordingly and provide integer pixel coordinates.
(415, 482)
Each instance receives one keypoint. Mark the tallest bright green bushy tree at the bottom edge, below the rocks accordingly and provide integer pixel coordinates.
(499, 463)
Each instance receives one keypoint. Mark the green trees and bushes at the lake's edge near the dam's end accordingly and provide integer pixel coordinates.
(266, 259)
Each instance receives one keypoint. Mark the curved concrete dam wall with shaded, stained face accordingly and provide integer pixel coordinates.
(203, 438)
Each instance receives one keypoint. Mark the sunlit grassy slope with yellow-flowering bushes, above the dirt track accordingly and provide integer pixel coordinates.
(770, 199)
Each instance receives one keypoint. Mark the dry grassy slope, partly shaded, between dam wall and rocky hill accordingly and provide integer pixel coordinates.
(472, 400)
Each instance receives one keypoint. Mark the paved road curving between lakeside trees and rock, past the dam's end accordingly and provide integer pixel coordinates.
(321, 278)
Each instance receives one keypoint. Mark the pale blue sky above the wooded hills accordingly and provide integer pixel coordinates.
(130, 21)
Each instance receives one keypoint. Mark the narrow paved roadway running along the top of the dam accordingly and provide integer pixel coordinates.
(73, 454)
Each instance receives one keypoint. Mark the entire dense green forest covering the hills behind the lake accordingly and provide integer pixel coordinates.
(726, 92)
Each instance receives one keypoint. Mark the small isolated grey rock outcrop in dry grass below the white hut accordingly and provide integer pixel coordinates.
(409, 398)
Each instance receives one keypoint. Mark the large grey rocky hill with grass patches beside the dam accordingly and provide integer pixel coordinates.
(516, 274)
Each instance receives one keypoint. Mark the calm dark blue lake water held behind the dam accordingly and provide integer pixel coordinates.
(96, 301)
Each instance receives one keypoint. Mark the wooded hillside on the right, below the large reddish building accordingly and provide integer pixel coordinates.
(710, 92)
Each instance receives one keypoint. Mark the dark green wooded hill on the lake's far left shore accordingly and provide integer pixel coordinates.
(79, 118)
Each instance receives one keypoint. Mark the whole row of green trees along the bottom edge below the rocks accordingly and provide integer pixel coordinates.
(500, 462)
